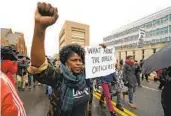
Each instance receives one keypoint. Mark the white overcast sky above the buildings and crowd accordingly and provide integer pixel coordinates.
(103, 16)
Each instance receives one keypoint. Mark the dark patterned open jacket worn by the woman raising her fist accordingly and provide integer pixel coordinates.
(53, 77)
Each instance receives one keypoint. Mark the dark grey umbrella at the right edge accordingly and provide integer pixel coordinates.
(159, 60)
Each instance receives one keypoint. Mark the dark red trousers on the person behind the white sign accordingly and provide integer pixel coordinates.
(106, 93)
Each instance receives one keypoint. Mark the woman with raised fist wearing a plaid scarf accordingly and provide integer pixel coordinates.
(71, 90)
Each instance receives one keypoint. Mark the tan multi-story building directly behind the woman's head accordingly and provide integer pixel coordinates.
(73, 32)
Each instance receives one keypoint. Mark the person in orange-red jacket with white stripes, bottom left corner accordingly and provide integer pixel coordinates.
(11, 105)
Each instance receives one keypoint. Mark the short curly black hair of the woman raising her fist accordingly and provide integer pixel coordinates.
(68, 50)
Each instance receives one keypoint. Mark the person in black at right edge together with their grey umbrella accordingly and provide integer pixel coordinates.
(162, 60)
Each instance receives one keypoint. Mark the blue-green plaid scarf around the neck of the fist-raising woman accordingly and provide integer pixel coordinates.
(70, 82)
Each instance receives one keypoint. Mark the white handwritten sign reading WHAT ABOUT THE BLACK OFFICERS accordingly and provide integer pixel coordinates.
(99, 61)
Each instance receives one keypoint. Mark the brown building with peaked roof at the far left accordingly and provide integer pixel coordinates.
(13, 38)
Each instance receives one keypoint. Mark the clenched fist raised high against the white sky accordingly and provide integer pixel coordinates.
(45, 15)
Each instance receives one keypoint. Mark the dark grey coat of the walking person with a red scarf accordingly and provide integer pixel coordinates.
(129, 75)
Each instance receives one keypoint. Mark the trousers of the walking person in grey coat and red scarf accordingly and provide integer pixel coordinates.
(131, 91)
